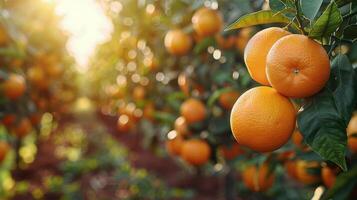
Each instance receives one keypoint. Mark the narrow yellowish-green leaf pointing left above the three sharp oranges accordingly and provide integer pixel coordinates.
(256, 18)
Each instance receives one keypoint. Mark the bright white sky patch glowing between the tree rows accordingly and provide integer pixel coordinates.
(87, 25)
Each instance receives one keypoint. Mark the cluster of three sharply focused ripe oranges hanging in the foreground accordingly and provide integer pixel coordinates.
(289, 66)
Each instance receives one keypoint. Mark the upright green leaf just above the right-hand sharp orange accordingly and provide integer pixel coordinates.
(327, 23)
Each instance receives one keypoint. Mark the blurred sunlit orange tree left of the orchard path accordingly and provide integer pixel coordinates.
(34, 74)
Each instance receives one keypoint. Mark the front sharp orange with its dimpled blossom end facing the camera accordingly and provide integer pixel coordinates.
(297, 66)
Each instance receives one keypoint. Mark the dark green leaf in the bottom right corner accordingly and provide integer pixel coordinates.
(343, 186)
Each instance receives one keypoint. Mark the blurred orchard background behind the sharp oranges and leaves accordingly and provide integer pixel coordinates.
(107, 99)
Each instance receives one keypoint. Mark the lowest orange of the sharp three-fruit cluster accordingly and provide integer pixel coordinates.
(262, 119)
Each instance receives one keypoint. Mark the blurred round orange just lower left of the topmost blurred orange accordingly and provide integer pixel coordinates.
(177, 42)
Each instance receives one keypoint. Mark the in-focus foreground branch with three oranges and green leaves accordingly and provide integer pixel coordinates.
(312, 66)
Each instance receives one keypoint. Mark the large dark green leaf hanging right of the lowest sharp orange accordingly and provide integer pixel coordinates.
(325, 116)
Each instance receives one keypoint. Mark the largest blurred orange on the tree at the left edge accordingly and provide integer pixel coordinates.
(14, 86)
